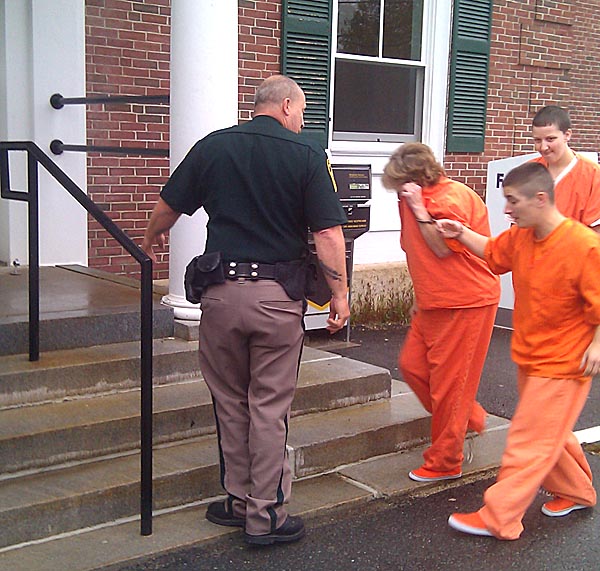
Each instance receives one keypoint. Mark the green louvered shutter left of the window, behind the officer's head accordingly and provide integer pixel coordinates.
(306, 58)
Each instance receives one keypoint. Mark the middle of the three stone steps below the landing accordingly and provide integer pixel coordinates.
(32, 437)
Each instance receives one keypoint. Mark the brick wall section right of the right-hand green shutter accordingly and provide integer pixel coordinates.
(542, 52)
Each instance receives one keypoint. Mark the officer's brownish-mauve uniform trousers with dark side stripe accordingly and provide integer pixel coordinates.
(251, 338)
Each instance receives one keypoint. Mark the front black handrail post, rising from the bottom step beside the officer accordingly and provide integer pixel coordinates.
(146, 398)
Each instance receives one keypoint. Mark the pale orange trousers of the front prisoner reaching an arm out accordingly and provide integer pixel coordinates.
(540, 449)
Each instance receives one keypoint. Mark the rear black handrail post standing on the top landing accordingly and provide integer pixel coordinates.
(34, 258)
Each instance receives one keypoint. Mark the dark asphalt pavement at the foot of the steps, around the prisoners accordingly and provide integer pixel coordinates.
(411, 533)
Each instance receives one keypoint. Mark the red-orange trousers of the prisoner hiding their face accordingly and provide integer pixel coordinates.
(442, 360)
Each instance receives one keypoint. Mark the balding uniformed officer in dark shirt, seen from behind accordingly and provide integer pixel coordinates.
(263, 187)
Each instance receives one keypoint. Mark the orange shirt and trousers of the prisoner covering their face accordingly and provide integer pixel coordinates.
(445, 349)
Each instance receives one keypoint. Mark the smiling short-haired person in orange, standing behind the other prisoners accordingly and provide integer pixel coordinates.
(576, 179)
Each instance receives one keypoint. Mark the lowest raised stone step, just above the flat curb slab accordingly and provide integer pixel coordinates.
(74, 497)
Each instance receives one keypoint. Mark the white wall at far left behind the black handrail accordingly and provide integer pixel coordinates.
(43, 51)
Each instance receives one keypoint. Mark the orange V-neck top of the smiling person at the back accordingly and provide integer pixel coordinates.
(577, 192)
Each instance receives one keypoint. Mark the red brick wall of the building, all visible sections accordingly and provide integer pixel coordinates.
(543, 51)
